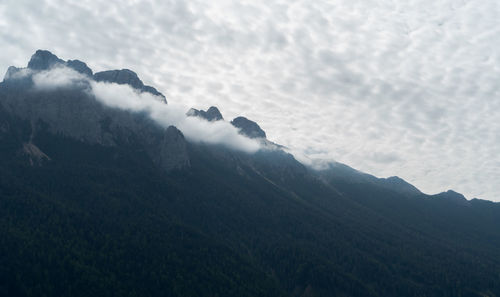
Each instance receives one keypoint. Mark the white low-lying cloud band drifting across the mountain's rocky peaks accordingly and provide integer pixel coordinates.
(127, 98)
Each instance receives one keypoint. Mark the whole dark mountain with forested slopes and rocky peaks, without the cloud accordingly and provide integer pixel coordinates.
(96, 200)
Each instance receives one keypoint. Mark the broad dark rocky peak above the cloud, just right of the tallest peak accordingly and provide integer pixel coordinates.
(126, 77)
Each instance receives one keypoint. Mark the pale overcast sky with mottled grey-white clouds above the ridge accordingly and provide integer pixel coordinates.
(406, 88)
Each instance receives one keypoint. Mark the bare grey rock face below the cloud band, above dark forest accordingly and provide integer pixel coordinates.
(77, 115)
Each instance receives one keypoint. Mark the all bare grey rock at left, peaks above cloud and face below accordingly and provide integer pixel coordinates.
(75, 113)
